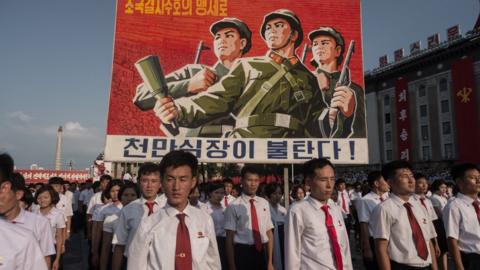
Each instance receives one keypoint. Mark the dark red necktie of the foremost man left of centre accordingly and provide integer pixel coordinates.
(183, 250)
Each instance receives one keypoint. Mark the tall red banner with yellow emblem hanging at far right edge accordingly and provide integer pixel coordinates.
(467, 124)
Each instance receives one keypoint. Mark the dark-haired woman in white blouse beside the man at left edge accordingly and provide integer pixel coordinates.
(47, 198)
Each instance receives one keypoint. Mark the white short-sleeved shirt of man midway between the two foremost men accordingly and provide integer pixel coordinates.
(238, 218)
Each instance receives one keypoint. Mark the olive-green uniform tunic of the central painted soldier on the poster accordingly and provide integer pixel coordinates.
(286, 110)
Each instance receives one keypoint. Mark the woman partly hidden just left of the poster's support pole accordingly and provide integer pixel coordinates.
(274, 193)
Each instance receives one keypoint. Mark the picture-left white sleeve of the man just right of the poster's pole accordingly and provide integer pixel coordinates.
(293, 244)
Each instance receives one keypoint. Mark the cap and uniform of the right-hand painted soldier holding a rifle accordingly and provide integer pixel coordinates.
(355, 125)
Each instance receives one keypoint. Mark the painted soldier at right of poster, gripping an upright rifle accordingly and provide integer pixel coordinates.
(328, 48)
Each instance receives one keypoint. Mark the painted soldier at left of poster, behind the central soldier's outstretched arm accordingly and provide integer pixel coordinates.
(231, 40)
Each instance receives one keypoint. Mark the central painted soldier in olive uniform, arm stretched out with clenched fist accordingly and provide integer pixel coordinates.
(271, 96)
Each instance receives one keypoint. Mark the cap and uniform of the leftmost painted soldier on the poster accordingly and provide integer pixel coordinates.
(178, 80)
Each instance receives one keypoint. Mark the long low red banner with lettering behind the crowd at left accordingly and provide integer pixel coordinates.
(42, 176)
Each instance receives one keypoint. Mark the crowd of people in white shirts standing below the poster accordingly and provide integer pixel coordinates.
(398, 219)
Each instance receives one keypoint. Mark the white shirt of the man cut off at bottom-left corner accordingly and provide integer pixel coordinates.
(19, 250)
